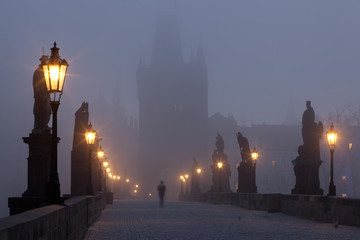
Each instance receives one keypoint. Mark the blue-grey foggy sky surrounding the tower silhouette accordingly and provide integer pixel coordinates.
(264, 59)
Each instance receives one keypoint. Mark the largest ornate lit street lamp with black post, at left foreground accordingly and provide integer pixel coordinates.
(54, 73)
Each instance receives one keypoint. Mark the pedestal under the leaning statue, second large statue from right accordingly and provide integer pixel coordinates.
(246, 178)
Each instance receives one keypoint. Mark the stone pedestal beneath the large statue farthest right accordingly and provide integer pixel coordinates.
(307, 177)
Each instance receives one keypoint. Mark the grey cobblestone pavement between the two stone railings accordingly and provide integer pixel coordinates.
(130, 219)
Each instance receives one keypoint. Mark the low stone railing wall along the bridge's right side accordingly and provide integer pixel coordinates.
(321, 208)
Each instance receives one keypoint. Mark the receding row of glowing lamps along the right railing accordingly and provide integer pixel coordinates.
(331, 138)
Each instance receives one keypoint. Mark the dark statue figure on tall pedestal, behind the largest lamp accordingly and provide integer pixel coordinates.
(42, 109)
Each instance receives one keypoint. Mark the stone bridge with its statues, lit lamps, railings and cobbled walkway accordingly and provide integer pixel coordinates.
(43, 213)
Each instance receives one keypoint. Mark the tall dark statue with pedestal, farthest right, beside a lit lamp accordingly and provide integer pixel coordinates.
(307, 163)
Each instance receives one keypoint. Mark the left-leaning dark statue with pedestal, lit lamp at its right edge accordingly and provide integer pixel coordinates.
(246, 168)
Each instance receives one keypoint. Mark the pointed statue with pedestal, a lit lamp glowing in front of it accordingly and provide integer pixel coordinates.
(220, 178)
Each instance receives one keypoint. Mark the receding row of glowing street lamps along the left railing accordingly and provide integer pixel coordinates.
(55, 69)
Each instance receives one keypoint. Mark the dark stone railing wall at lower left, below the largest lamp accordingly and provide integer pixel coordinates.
(68, 221)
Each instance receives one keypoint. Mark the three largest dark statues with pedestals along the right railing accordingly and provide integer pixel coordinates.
(306, 165)
